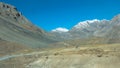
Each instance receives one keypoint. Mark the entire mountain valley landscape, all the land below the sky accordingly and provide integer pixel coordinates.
(89, 44)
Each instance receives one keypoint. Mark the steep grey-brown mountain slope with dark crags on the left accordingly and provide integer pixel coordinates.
(15, 28)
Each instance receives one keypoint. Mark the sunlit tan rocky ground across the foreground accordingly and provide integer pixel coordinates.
(101, 56)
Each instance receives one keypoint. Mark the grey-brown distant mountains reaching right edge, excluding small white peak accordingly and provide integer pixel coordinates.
(107, 29)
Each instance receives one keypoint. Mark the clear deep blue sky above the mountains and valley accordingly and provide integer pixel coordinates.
(50, 14)
